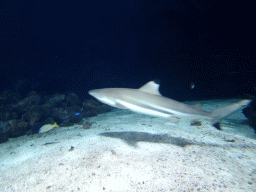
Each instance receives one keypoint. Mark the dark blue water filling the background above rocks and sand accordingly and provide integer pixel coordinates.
(60, 46)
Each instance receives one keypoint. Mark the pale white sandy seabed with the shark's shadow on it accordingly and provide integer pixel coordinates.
(134, 153)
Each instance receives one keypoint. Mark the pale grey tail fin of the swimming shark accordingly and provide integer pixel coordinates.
(223, 112)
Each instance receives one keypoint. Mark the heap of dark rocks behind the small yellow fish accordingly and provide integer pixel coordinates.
(26, 116)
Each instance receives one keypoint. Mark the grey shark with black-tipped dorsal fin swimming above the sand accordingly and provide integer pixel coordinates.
(148, 100)
